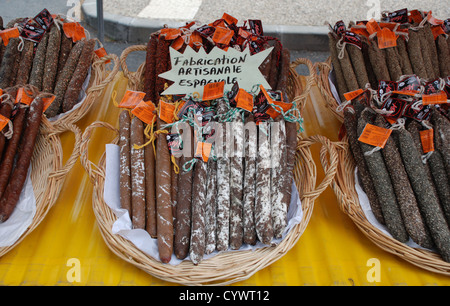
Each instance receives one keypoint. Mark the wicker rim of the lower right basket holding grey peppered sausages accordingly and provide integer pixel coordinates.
(344, 187)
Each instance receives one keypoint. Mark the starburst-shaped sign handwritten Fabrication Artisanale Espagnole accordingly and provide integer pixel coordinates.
(192, 70)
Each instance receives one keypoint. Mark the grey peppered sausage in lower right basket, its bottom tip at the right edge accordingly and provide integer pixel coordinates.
(424, 192)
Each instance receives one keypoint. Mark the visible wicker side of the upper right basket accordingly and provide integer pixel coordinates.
(324, 69)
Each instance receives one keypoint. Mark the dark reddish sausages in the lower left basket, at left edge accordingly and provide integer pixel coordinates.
(17, 143)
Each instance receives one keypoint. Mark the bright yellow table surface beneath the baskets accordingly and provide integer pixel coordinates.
(67, 247)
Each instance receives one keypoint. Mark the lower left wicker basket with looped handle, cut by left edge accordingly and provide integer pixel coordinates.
(48, 172)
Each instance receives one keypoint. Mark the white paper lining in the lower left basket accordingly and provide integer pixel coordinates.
(21, 217)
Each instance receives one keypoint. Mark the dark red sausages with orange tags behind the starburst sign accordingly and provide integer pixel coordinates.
(274, 68)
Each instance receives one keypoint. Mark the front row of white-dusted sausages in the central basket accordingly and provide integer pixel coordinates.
(214, 205)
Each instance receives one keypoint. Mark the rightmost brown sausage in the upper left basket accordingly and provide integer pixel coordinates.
(79, 76)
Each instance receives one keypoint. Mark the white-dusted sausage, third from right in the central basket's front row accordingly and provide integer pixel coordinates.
(263, 207)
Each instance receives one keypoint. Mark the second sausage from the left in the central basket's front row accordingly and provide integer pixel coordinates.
(137, 173)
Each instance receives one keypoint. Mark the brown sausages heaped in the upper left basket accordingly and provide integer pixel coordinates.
(51, 61)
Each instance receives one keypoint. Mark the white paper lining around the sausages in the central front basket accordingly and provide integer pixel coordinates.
(140, 238)
